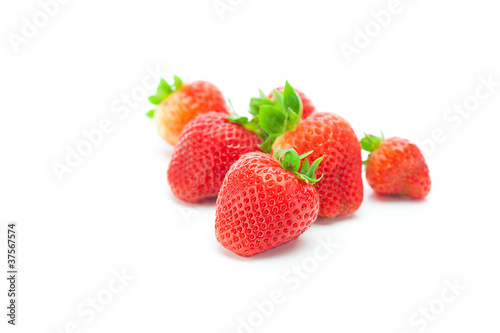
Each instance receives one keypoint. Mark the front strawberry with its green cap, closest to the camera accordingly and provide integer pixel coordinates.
(265, 202)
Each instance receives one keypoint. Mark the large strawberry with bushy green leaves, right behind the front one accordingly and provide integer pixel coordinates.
(341, 190)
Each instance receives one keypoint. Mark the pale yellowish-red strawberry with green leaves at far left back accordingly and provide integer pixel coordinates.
(180, 103)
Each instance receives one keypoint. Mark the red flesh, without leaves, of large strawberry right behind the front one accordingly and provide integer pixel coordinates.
(341, 189)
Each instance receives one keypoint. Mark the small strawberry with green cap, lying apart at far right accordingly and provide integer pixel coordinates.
(396, 166)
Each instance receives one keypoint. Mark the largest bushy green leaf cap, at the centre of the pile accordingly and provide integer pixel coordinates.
(272, 118)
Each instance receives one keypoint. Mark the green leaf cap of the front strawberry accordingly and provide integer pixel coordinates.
(290, 160)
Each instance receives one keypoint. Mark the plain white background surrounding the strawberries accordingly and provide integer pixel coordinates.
(115, 210)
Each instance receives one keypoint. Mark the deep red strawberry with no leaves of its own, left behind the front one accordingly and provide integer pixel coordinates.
(207, 147)
